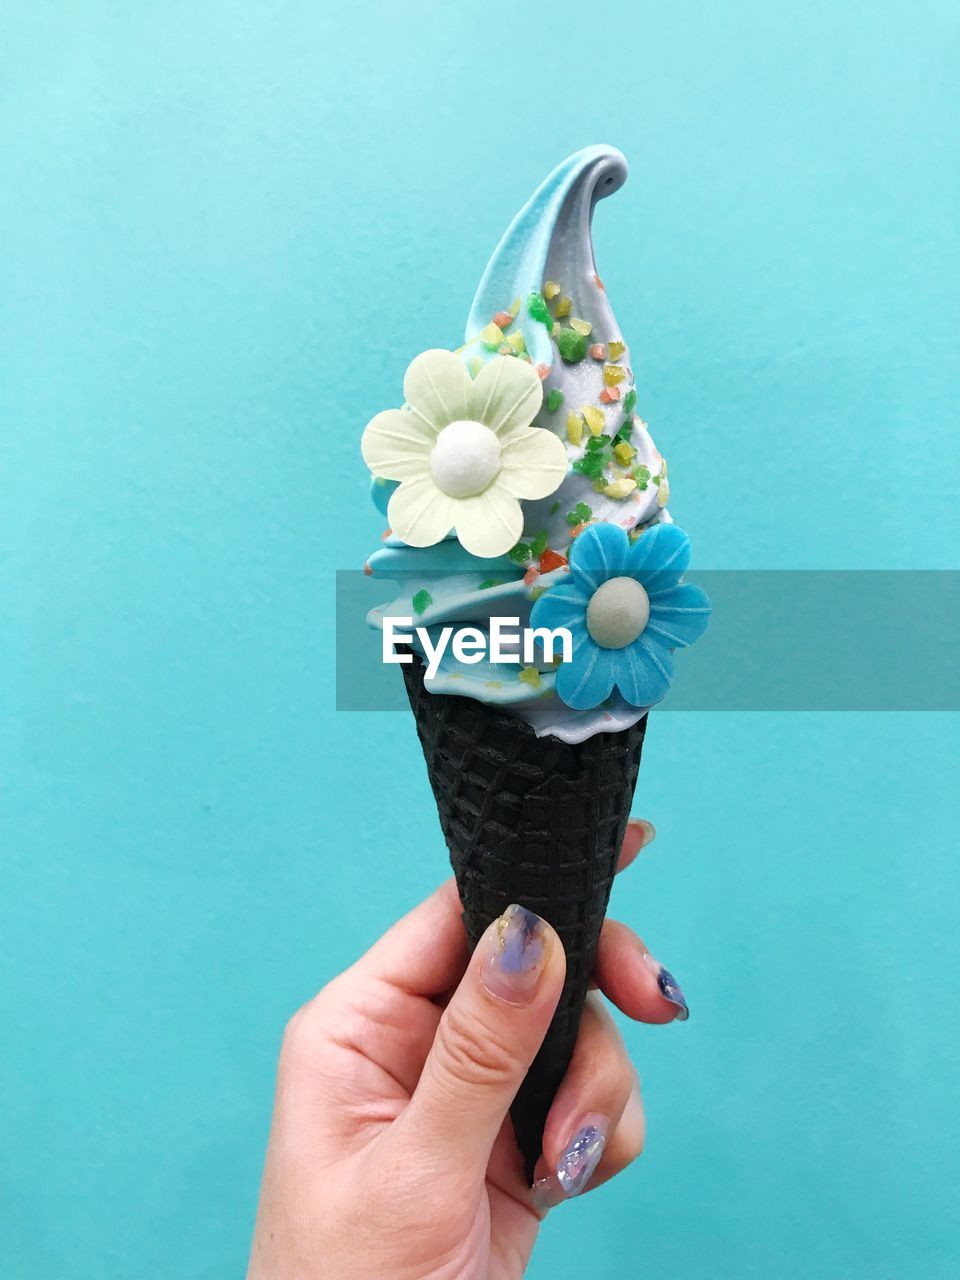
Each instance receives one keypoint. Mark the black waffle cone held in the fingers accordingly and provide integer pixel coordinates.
(533, 821)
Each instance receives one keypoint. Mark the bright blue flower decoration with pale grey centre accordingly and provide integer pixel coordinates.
(627, 611)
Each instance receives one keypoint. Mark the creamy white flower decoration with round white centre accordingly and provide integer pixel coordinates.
(464, 452)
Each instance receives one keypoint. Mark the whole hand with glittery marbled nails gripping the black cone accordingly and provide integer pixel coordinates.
(392, 1155)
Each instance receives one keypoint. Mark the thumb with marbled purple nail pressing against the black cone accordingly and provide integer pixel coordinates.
(486, 1041)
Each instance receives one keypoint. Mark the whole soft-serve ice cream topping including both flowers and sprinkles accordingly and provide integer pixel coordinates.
(520, 482)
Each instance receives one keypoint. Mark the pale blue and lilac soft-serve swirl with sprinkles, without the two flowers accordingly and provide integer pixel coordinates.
(541, 299)
